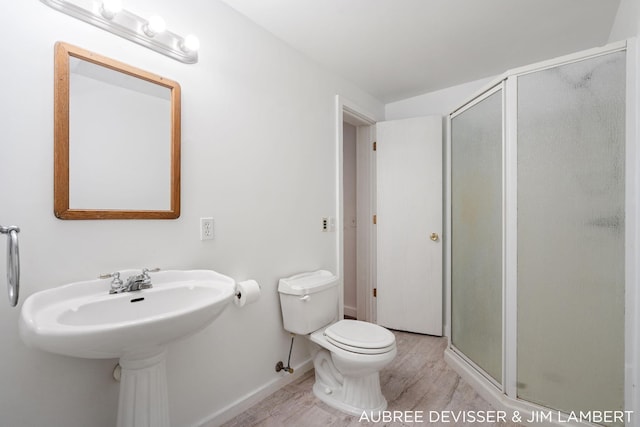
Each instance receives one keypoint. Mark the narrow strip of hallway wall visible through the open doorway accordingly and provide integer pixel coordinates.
(350, 214)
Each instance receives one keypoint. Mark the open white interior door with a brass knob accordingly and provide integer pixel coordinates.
(409, 224)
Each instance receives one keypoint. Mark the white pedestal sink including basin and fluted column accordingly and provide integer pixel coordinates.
(82, 319)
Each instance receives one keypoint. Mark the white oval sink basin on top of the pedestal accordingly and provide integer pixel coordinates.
(82, 319)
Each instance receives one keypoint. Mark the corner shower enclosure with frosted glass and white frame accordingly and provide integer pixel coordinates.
(540, 256)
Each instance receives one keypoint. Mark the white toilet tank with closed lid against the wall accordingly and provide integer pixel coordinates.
(309, 301)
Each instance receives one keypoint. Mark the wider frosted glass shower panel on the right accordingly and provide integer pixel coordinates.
(571, 245)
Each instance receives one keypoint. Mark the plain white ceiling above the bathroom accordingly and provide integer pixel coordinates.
(395, 49)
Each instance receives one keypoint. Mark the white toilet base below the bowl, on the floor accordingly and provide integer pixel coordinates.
(354, 396)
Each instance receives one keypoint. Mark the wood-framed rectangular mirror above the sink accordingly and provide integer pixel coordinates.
(116, 139)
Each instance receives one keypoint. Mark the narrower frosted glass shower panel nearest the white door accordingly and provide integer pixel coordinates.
(476, 233)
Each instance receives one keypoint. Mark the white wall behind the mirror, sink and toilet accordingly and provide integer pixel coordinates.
(258, 154)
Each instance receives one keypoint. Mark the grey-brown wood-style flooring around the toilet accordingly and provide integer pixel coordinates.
(418, 379)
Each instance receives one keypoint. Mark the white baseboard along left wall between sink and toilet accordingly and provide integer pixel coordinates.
(250, 399)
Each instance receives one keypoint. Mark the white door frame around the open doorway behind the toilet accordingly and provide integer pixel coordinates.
(365, 136)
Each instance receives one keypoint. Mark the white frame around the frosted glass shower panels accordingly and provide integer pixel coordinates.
(505, 395)
